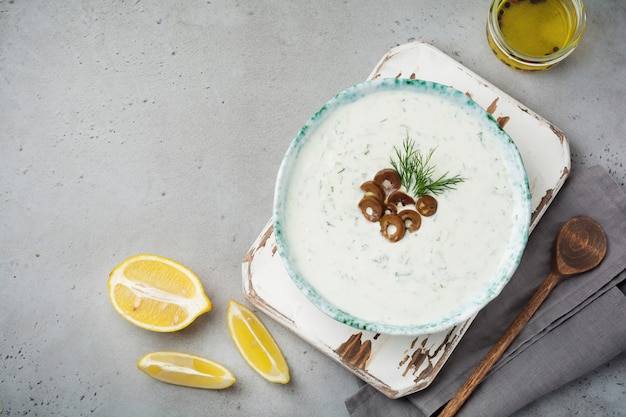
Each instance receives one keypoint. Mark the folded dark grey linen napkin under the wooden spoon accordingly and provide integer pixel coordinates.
(581, 325)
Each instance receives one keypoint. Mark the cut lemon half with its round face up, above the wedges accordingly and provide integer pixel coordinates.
(157, 293)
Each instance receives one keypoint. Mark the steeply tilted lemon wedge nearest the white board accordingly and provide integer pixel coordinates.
(256, 344)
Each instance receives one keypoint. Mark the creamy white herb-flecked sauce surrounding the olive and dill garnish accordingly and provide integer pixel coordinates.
(344, 257)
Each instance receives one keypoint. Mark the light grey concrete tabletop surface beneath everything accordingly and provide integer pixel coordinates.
(158, 126)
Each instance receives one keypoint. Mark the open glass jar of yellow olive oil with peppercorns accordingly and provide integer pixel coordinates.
(535, 34)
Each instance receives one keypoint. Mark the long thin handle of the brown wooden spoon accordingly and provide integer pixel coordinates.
(501, 345)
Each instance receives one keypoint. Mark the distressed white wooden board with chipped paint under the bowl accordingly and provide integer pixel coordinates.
(400, 365)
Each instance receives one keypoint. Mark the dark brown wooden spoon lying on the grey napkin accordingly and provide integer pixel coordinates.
(580, 246)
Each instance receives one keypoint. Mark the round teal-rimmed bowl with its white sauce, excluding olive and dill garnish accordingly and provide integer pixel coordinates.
(432, 279)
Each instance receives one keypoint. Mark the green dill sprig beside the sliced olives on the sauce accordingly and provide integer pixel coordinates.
(416, 171)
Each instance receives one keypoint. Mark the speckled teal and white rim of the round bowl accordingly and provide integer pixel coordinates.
(515, 247)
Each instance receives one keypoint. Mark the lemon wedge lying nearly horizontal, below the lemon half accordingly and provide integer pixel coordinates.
(187, 370)
